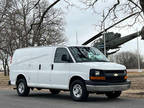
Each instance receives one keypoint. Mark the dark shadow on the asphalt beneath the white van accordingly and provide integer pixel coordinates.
(67, 97)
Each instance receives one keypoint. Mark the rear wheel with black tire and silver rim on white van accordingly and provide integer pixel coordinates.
(22, 88)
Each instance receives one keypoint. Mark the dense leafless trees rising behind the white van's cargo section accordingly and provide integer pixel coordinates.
(26, 24)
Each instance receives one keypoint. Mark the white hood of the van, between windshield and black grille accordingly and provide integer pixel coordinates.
(104, 65)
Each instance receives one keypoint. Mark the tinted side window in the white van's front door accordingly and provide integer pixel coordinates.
(59, 53)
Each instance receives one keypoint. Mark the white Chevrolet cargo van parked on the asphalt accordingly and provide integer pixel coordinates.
(79, 69)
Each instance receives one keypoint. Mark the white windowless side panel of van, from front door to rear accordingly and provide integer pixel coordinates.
(32, 62)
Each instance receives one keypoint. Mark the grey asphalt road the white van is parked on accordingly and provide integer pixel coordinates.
(9, 99)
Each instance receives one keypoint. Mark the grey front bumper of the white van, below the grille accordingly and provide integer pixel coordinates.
(106, 87)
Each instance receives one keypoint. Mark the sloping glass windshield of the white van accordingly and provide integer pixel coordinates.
(87, 54)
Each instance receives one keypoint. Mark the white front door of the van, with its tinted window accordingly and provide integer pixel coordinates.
(61, 69)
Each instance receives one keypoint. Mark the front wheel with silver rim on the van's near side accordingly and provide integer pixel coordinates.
(83, 93)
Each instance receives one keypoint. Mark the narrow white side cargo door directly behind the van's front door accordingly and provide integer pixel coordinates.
(44, 68)
